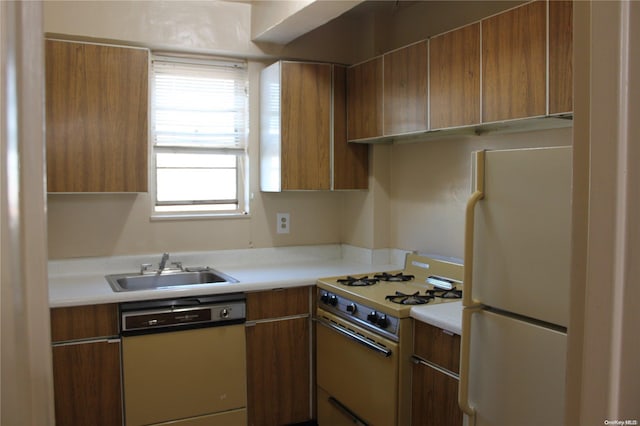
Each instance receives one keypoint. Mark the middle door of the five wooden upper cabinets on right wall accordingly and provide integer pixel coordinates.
(454, 68)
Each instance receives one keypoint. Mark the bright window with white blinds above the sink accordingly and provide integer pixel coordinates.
(199, 125)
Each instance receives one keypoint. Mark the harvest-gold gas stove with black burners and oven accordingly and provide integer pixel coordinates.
(365, 336)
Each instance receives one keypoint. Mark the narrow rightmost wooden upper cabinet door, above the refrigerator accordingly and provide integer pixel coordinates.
(560, 56)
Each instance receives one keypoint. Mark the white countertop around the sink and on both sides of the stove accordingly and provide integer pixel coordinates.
(81, 281)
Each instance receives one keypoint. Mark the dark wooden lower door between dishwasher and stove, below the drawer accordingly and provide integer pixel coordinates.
(278, 371)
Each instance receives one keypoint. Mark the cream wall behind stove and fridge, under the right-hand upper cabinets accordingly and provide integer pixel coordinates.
(430, 185)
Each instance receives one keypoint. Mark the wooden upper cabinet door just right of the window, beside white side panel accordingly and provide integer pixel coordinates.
(306, 126)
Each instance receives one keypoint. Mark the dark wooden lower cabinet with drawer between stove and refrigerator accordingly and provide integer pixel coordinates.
(435, 377)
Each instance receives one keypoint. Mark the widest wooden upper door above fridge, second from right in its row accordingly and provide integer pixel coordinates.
(514, 65)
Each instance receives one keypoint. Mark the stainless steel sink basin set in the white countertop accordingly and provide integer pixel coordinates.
(134, 282)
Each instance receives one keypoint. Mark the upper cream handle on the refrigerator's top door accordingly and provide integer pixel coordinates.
(467, 296)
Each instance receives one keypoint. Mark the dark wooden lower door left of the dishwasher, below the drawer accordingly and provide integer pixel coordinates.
(86, 380)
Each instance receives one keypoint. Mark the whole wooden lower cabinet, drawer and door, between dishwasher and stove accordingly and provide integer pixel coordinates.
(279, 358)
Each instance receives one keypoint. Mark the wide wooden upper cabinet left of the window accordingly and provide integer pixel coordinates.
(96, 117)
